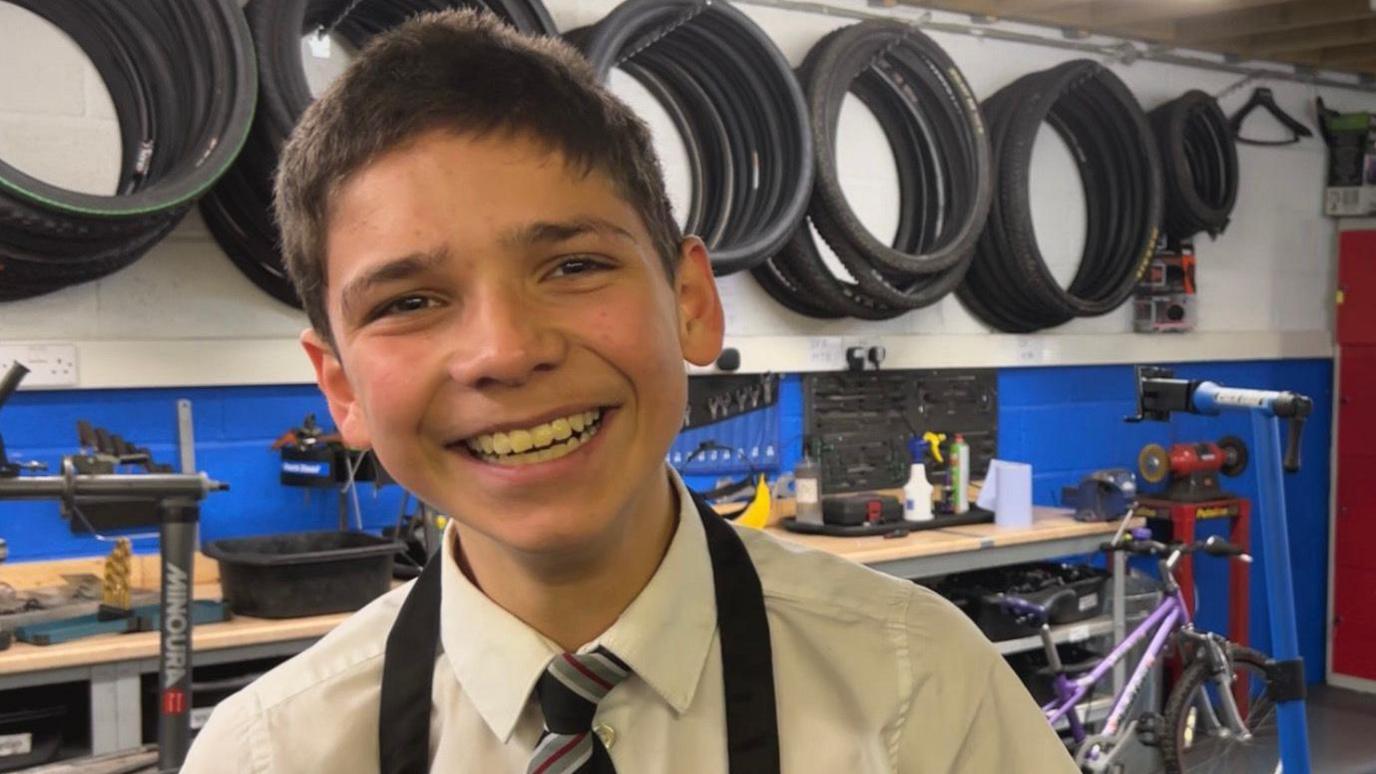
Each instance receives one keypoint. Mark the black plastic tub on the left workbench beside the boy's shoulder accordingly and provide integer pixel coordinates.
(306, 574)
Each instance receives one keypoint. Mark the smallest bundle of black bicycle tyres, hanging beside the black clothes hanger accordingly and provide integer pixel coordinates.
(1199, 165)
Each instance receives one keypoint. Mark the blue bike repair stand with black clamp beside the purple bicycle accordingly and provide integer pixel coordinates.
(1158, 396)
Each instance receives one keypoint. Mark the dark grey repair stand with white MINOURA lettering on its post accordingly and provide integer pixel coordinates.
(178, 496)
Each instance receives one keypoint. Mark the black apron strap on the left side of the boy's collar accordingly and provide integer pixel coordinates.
(408, 676)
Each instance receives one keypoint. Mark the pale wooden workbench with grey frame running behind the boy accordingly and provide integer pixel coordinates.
(114, 665)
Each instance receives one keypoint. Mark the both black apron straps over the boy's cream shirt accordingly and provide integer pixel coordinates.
(746, 663)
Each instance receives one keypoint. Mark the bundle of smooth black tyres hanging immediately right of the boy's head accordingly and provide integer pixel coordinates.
(738, 108)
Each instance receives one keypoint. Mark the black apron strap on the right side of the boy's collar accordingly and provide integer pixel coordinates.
(746, 656)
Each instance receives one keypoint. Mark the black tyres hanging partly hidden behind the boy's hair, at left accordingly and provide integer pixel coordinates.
(239, 211)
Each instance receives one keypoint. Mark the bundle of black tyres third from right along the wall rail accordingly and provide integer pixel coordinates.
(942, 156)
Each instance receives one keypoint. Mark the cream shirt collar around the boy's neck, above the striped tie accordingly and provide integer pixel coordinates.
(665, 634)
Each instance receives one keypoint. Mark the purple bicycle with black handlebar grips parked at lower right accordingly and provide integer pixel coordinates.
(1220, 715)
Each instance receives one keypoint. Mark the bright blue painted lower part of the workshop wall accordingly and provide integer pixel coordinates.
(1067, 422)
